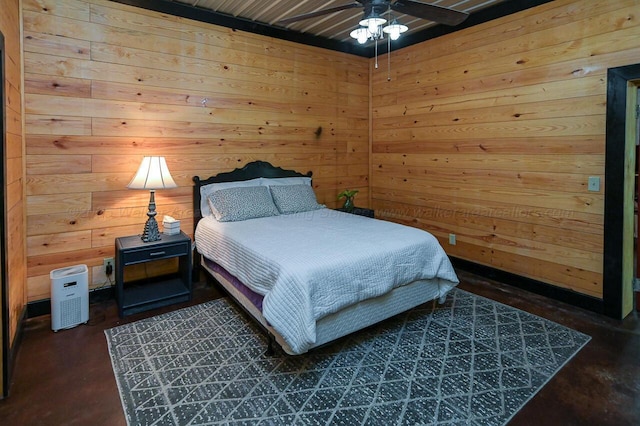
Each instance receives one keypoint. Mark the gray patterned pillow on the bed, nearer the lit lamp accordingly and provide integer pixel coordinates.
(242, 203)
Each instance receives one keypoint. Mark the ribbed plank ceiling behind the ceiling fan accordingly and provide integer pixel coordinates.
(337, 26)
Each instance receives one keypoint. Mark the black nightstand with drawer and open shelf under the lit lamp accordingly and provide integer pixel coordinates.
(138, 296)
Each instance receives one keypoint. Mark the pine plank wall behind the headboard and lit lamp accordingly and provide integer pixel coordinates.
(106, 84)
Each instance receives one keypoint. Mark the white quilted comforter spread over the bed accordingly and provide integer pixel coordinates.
(308, 265)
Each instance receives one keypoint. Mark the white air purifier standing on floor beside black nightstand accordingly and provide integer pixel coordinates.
(69, 297)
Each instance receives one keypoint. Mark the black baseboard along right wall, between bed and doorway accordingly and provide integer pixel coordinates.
(531, 285)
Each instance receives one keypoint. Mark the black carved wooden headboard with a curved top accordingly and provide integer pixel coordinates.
(252, 170)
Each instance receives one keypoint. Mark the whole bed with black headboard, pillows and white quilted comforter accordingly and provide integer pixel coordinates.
(306, 273)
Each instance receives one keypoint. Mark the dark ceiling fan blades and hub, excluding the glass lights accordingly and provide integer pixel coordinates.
(376, 8)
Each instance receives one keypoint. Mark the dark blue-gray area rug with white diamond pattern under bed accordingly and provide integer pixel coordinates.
(470, 361)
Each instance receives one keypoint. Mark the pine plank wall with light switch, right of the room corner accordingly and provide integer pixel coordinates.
(491, 134)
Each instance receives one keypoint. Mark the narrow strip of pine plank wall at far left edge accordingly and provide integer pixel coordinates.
(13, 185)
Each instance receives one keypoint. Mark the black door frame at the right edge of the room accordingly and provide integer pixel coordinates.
(619, 82)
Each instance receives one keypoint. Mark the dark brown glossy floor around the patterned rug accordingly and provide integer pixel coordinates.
(65, 378)
